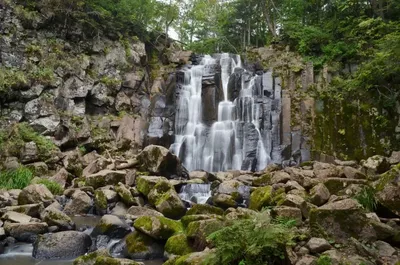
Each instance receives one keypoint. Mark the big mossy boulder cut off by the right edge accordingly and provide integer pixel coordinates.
(388, 190)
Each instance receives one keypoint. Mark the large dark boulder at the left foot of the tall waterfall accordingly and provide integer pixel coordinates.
(160, 161)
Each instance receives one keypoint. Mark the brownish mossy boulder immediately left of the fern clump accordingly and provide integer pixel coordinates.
(198, 231)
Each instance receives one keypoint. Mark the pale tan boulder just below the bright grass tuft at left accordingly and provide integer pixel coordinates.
(35, 193)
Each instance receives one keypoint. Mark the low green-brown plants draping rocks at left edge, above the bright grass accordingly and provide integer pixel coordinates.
(13, 139)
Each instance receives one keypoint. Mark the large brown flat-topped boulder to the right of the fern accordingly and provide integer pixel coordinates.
(341, 220)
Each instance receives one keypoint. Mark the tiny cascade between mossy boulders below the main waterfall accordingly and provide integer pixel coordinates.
(197, 193)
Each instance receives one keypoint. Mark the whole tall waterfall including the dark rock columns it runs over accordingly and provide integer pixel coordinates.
(245, 132)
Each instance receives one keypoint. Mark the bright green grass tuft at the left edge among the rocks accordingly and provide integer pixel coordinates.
(15, 179)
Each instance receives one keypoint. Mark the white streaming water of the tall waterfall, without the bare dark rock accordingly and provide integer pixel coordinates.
(226, 144)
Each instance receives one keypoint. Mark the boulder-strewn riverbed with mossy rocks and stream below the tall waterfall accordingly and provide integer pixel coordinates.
(131, 211)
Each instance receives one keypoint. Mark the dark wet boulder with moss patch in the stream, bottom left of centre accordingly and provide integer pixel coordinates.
(141, 246)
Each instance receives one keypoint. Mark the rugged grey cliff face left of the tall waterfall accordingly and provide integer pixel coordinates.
(101, 93)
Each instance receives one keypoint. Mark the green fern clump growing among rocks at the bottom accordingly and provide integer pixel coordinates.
(252, 241)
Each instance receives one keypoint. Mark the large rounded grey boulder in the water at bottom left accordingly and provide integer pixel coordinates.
(61, 245)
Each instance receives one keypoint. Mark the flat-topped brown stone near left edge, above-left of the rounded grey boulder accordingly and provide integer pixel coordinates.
(25, 232)
